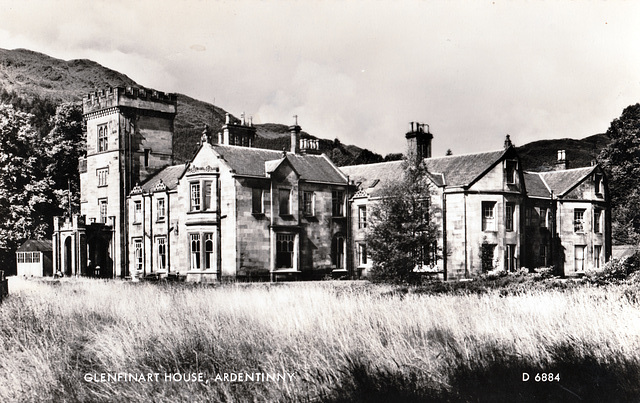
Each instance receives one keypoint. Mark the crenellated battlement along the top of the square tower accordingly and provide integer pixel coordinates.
(133, 97)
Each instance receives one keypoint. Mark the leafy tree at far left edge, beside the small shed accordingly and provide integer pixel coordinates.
(24, 187)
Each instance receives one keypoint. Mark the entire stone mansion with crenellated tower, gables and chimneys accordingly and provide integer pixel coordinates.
(236, 212)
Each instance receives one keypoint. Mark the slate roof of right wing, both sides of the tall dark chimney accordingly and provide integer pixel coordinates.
(453, 170)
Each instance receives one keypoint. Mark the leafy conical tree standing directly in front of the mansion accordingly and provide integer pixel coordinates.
(402, 232)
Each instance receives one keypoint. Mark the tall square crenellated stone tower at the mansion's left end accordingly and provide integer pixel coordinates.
(129, 134)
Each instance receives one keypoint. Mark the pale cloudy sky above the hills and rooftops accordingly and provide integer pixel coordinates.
(361, 71)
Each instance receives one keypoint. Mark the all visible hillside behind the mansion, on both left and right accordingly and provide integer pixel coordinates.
(31, 74)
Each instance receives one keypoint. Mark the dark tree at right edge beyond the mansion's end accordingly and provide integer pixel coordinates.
(621, 161)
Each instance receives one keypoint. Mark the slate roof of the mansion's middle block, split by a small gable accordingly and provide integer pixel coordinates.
(247, 161)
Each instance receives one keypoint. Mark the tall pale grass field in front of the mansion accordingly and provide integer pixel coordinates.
(328, 341)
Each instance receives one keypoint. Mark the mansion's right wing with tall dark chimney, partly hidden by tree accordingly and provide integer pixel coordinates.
(491, 214)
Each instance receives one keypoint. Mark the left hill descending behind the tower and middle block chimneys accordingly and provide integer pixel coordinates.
(31, 74)
